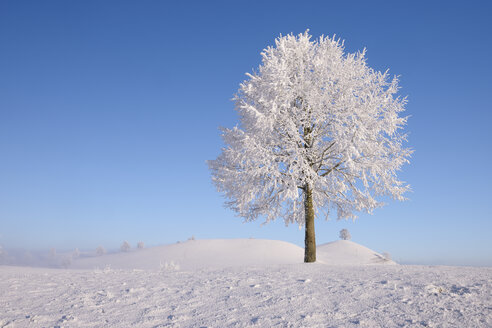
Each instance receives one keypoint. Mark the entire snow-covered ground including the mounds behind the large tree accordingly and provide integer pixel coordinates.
(235, 291)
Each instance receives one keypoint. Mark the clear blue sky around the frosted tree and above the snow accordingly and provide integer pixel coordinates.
(109, 110)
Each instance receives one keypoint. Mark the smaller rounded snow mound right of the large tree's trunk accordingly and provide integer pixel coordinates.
(346, 252)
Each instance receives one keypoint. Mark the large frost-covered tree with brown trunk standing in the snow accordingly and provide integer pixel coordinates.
(319, 131)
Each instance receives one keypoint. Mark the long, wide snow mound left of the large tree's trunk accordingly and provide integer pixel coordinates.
(199, 254)
